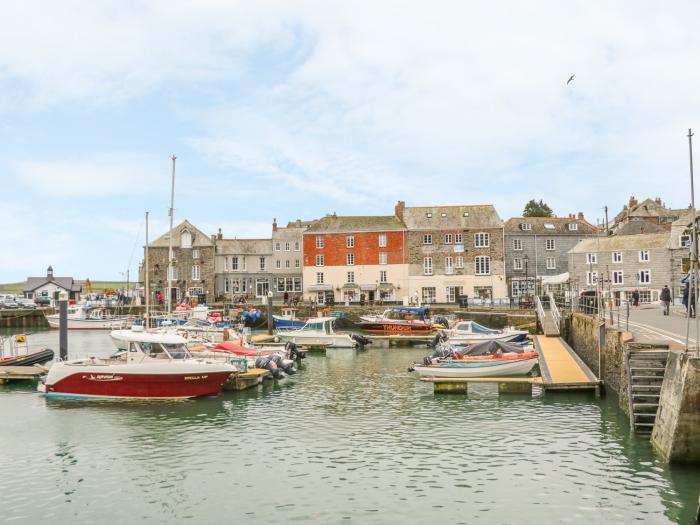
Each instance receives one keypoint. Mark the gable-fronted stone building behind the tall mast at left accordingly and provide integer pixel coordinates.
(193, 266)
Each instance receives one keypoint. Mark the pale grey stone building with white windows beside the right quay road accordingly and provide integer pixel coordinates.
(617, 266)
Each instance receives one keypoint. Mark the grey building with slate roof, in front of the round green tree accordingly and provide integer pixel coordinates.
(537, 248)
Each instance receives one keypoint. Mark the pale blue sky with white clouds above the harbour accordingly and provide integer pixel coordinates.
(295, 109)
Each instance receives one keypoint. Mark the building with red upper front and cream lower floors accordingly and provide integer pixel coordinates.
(351, 258)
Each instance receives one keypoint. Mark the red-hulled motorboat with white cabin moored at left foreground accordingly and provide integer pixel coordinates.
(155, 366)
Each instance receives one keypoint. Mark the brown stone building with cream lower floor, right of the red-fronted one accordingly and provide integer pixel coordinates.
(454, 251)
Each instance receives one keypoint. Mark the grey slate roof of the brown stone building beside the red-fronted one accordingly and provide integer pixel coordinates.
(452, 217)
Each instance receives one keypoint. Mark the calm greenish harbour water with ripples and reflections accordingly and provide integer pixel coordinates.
(352, 438)
